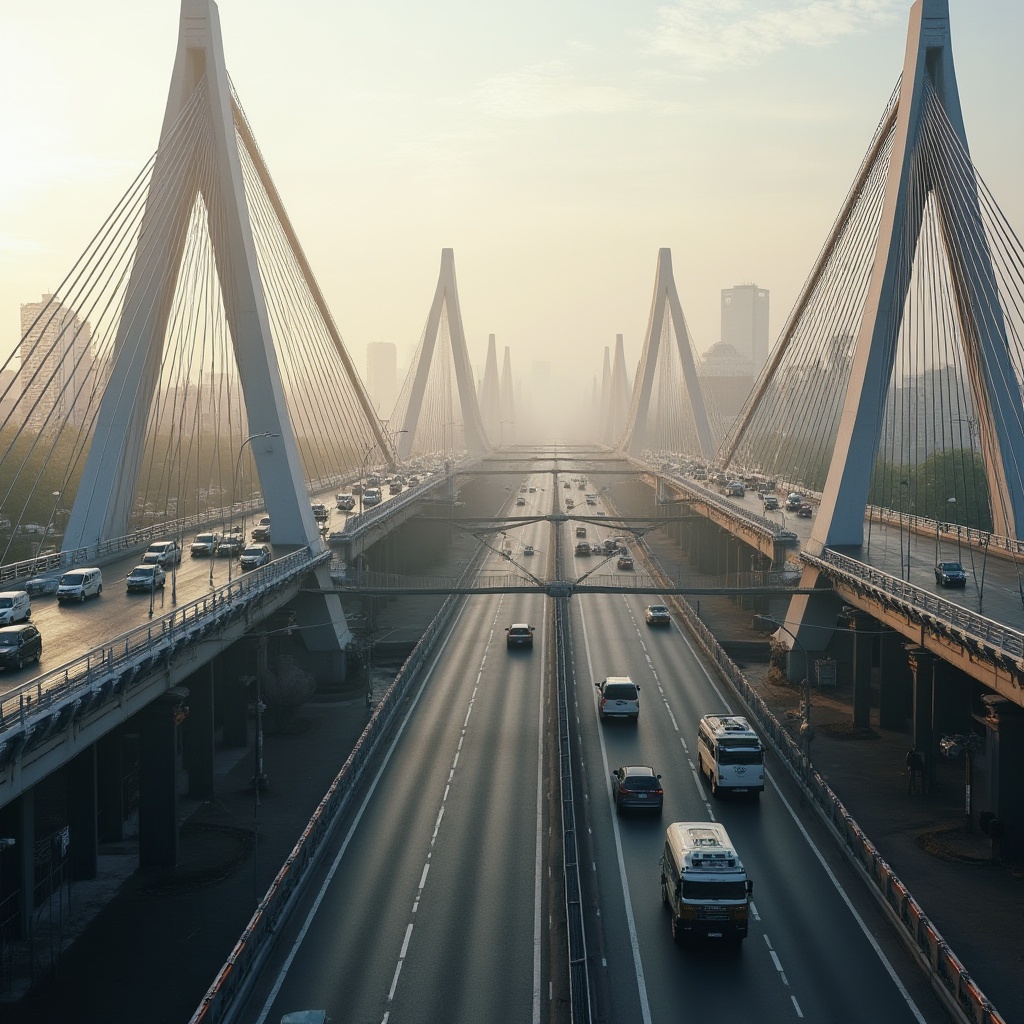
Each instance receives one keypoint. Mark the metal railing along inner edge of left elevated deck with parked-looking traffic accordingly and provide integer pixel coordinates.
(102, 672)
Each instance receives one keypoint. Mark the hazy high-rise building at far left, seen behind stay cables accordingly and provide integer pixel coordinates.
(57, 362)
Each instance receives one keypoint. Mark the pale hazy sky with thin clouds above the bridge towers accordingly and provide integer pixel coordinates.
(554, 146)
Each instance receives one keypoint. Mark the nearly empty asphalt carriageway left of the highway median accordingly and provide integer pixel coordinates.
(434, 906)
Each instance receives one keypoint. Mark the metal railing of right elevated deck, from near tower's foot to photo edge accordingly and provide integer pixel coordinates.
(920, 604)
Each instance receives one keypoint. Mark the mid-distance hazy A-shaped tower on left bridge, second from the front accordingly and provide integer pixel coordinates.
(445, 325)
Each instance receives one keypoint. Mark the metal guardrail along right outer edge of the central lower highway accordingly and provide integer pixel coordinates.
(947, 974)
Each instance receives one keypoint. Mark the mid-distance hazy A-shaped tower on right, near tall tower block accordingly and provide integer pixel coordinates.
(666, 322)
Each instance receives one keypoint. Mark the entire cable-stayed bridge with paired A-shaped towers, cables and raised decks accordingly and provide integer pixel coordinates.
(188, 371)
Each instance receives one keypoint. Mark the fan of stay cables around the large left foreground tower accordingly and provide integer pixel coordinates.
(165, 255)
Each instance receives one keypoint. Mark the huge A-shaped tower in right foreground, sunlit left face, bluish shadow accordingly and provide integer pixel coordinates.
(928, 68)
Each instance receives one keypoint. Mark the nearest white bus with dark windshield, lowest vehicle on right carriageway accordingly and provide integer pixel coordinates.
(704, 883)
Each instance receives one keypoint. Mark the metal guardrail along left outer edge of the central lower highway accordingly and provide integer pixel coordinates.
(223, 1000)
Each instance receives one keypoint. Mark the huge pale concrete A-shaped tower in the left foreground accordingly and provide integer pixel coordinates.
(104, 503)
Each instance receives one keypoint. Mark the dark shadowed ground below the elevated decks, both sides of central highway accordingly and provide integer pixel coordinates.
(147, 947)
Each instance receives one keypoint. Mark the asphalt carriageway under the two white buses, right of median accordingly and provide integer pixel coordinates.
(807, 956)
